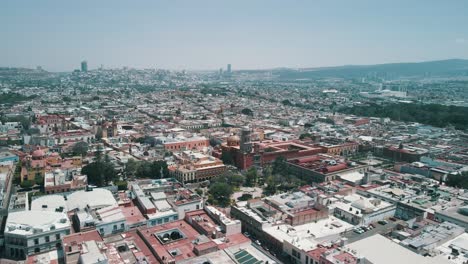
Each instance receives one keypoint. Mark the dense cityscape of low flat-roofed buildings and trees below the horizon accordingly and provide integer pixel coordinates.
(156, 166)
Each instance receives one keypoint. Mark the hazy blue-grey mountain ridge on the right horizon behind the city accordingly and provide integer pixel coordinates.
(442, 68)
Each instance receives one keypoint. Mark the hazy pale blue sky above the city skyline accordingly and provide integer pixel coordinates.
(198, 34)
